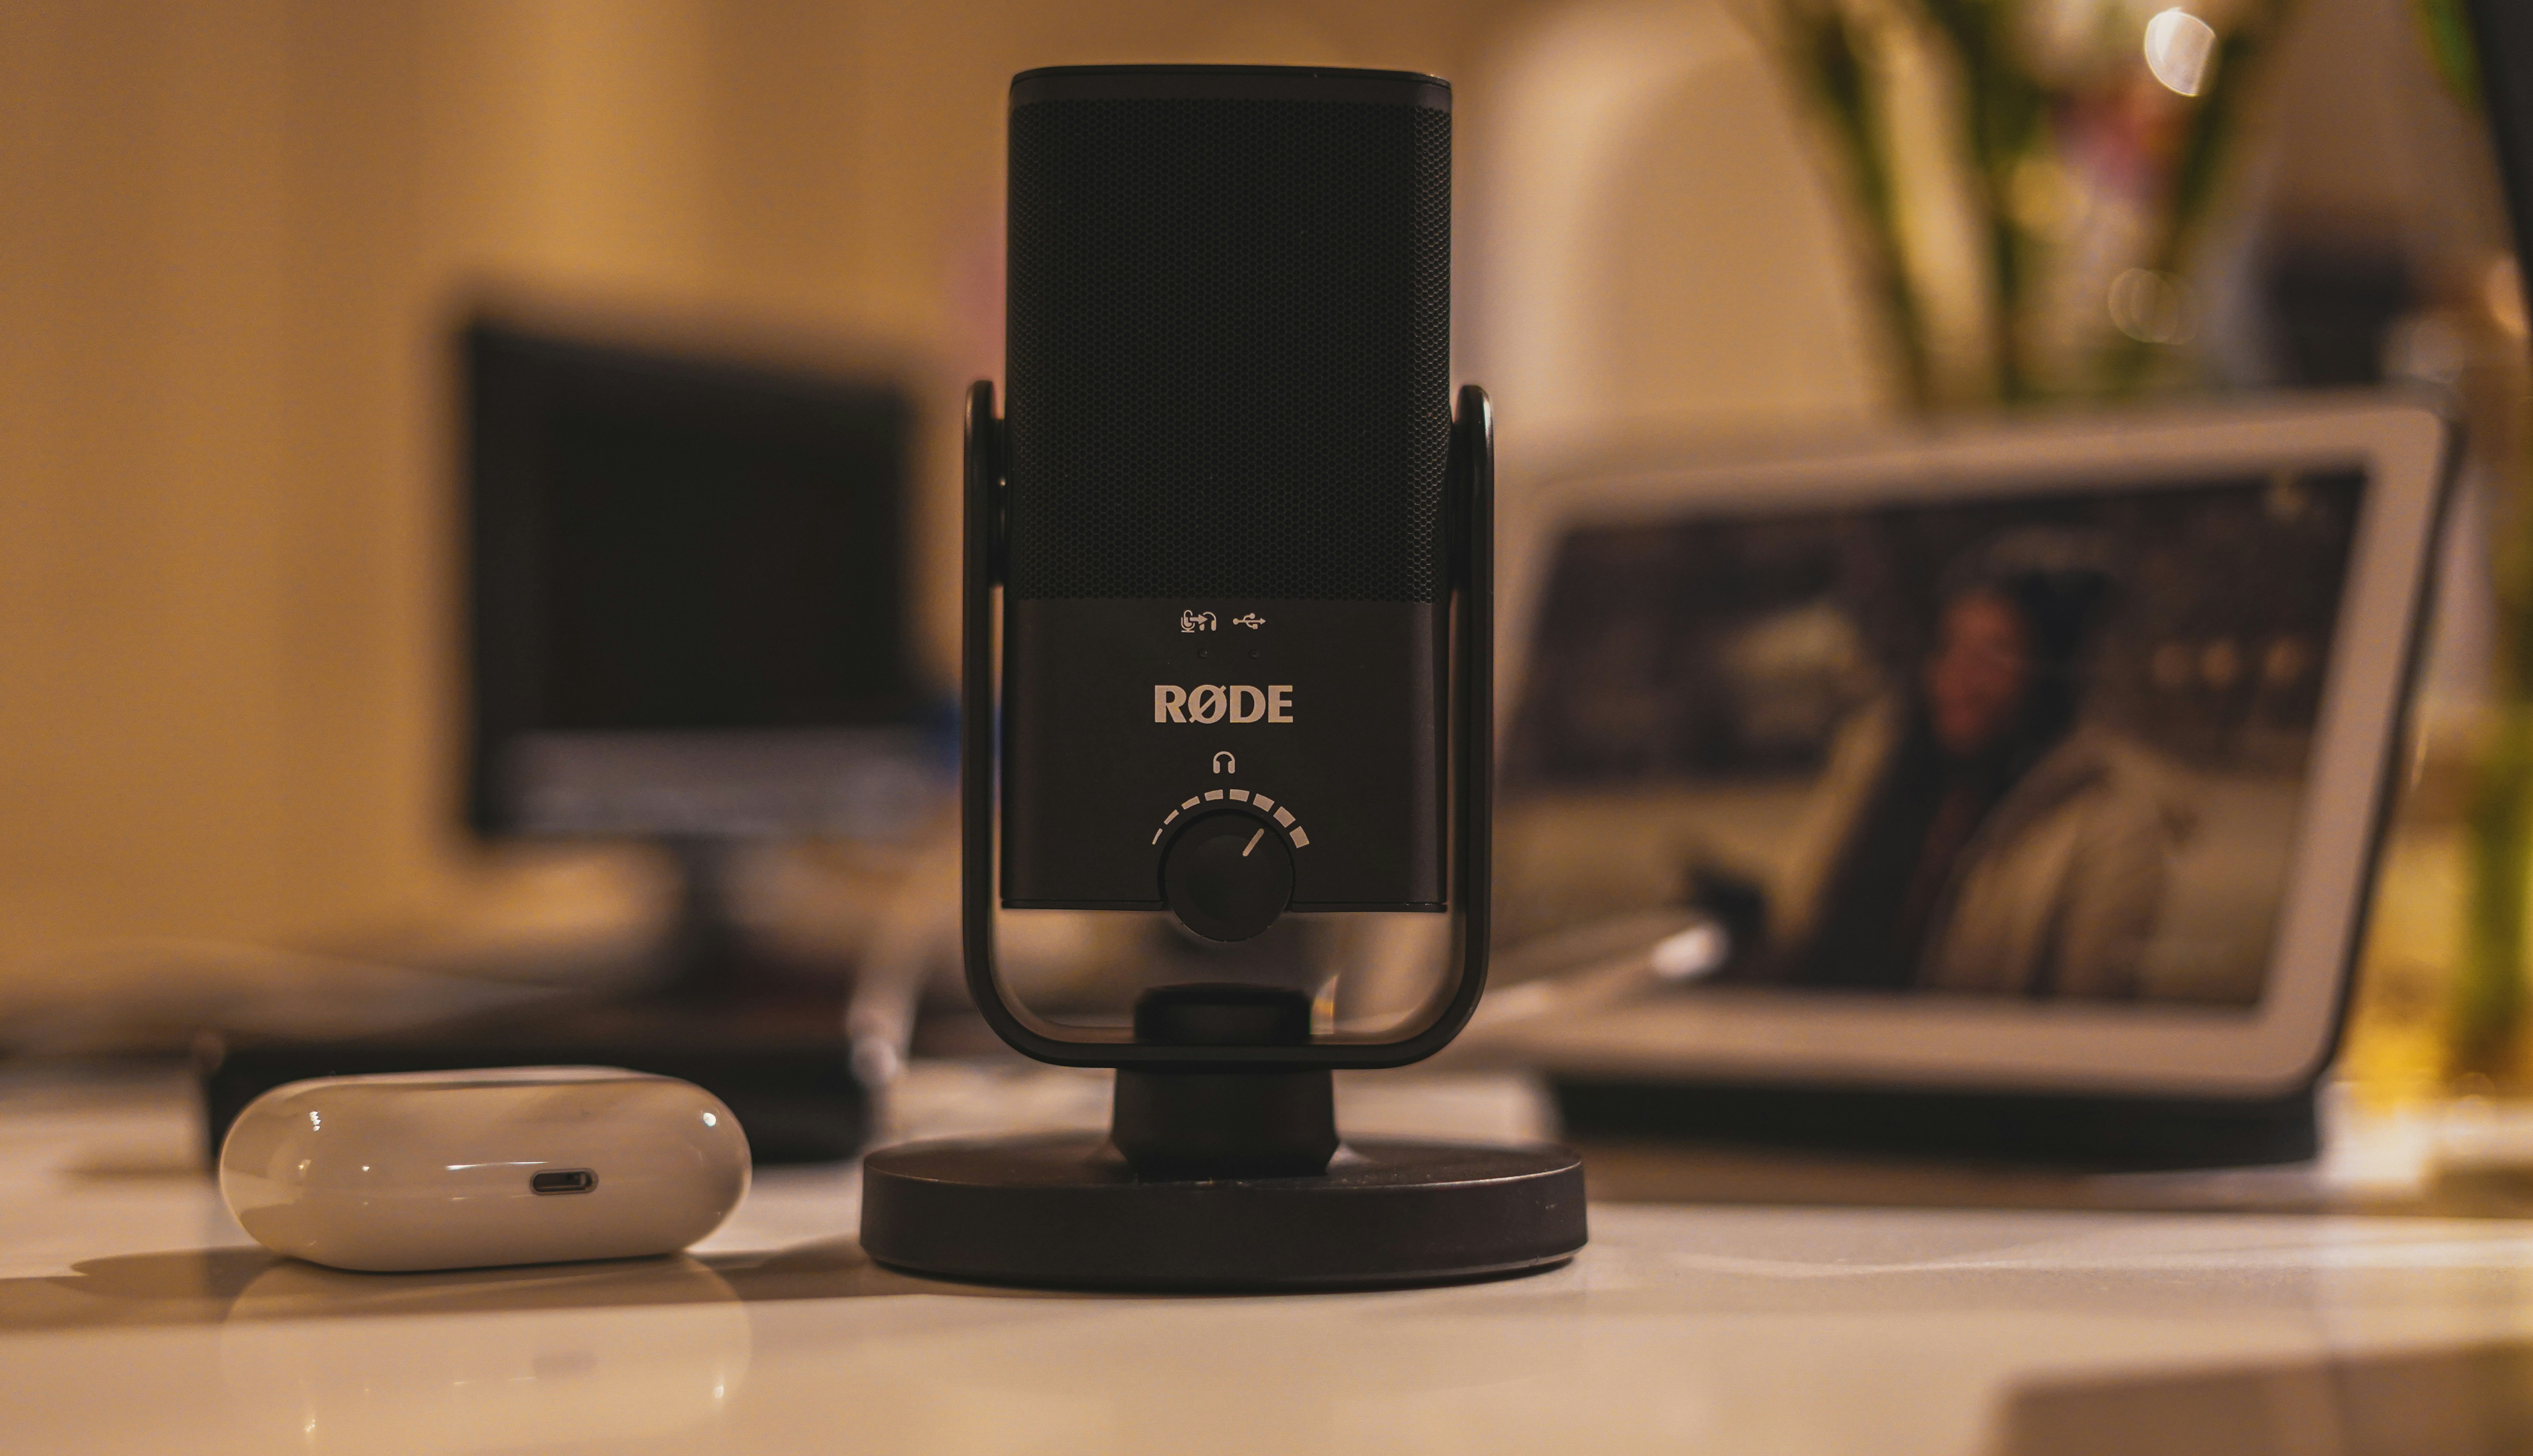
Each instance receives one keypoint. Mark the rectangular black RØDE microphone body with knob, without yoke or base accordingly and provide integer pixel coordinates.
(1227, 437)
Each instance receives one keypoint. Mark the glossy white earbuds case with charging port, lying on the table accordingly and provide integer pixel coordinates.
(470, 1169)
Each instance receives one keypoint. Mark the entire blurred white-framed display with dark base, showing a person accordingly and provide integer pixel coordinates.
(1924, 786)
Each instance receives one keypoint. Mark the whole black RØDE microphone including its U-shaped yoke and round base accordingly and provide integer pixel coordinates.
(1248, 568)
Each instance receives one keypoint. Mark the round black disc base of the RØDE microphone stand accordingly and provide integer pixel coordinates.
(1068, 1212)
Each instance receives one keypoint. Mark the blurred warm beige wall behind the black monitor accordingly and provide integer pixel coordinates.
(232, 242)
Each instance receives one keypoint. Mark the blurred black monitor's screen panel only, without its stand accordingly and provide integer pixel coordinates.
(688, 594)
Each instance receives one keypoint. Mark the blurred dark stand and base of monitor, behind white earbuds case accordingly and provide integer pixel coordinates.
(718, 1014)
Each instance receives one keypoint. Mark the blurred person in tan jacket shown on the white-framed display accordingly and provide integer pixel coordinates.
(1972, 832)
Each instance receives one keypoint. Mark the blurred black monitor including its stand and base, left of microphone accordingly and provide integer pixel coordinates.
(688, 624)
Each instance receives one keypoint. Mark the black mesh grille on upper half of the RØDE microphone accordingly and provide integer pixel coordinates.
(1230, 348)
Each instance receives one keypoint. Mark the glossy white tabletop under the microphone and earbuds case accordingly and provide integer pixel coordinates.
(138, 1318)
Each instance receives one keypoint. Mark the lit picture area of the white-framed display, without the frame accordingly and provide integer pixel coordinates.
(2030, 746)
